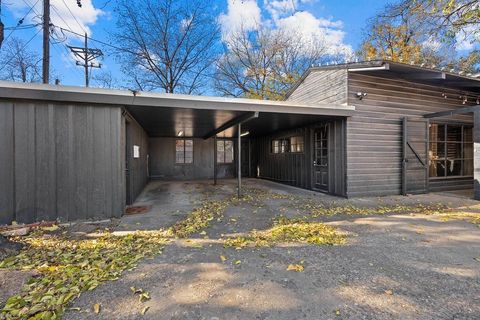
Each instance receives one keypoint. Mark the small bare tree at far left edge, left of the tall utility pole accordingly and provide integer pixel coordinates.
(18, 63)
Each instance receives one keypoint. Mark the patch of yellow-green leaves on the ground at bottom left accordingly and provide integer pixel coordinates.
(70, 267)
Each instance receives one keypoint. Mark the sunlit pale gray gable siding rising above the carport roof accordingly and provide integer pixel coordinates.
(327, 86)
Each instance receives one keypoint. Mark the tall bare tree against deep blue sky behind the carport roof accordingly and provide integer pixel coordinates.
(166, 45)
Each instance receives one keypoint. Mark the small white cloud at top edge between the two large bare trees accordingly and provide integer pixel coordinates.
(244, 15)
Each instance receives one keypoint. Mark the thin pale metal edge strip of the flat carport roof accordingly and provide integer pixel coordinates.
(59, 93)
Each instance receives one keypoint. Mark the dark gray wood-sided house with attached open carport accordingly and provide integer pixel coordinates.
(363, 129)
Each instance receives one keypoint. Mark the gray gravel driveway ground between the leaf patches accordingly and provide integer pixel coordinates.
(405, 266)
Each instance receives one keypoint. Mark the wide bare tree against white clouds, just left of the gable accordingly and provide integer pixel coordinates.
(265, 63)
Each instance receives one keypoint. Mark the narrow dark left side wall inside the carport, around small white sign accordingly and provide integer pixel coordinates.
(138, 167)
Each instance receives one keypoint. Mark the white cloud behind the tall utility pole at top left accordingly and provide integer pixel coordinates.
(79, 20)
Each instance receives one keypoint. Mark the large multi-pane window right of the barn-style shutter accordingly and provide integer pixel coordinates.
(450, 150)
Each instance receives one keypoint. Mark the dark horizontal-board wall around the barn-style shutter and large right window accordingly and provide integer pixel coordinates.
(374, 133)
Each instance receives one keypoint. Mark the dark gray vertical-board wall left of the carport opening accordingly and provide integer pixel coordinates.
(59, 161)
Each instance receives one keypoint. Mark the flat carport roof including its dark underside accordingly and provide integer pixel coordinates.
(165, 115)
